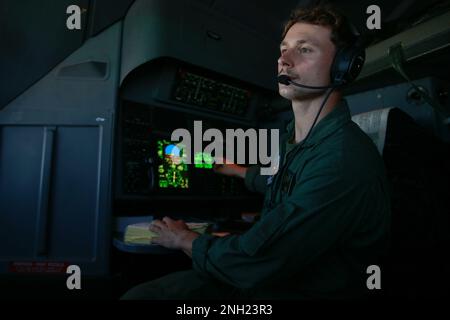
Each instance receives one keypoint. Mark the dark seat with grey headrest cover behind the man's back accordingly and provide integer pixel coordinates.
(418, 171)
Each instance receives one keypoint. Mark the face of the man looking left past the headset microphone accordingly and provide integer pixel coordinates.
(306, 55)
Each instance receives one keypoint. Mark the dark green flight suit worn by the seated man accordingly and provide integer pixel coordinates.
(325, 219)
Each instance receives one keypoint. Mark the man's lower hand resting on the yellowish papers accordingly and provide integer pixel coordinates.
(173, 234)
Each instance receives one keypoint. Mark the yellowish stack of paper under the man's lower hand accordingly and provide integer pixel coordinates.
(139, 233)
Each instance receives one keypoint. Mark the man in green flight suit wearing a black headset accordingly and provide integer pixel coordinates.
(326, 212)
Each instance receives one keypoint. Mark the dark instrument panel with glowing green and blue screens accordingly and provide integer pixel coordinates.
(150, 165)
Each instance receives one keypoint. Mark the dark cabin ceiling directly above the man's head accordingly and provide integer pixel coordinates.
(268, 16)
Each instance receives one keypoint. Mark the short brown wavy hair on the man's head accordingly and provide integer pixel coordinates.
(342, 33)
